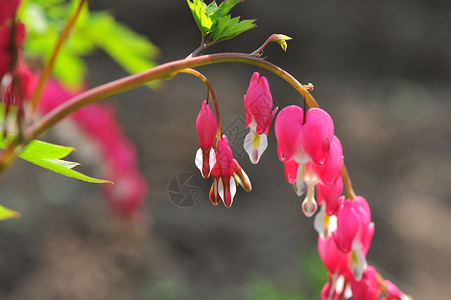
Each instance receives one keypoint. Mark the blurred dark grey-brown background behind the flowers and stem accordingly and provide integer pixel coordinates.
(380, 68)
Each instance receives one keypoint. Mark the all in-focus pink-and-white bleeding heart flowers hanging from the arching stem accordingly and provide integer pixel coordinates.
(313, 160)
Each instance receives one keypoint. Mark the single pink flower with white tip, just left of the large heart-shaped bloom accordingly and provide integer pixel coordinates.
(259, 115)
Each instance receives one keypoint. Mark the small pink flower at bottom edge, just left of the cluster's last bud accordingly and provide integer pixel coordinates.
(367, 288)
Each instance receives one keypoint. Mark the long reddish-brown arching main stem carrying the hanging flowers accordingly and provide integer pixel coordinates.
(132, 81)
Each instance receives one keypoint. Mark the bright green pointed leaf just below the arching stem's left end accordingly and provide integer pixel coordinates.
(48, 156)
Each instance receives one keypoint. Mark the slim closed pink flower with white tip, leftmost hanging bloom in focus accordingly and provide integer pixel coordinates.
(206, 129)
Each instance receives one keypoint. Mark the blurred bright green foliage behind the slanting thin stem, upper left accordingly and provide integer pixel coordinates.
(44, 20)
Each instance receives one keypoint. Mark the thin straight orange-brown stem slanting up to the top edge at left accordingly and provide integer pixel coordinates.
(46, 72)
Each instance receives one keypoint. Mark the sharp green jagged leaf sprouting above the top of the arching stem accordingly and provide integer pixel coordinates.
(214, 21)
